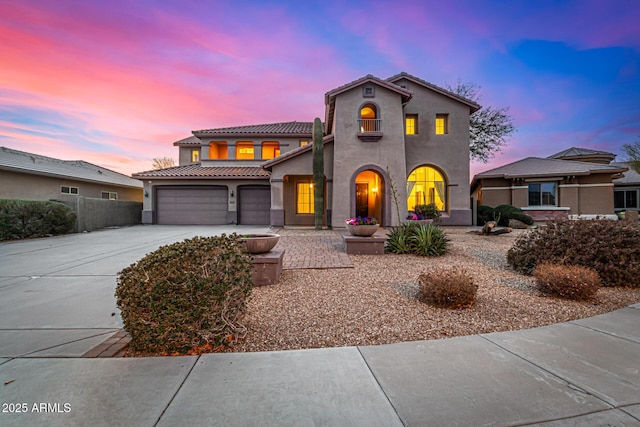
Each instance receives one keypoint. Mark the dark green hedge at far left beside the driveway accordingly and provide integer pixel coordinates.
(20, 219)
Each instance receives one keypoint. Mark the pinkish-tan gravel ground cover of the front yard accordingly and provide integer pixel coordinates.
(373, 302)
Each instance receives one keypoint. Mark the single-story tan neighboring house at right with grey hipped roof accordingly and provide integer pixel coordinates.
(576, 181)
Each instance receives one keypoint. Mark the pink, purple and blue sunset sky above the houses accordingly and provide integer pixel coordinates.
(116, 83)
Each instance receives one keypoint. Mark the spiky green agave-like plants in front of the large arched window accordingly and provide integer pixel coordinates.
(419, 239)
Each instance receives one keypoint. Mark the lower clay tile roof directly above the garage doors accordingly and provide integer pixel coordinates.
(197, 171)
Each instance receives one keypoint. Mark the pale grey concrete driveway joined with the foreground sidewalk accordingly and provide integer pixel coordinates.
(56, 302)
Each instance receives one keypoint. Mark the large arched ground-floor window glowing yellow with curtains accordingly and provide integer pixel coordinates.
(426, 185)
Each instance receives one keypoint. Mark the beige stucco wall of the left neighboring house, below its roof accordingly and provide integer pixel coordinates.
(25, 186)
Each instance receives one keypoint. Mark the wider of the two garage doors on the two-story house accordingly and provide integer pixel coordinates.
(191, 205)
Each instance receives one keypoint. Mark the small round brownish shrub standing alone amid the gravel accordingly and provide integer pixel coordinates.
(447, 288)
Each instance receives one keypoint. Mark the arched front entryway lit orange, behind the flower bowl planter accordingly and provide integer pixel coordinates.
(369, 195)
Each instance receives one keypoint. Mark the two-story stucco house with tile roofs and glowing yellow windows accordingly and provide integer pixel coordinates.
(389, 144)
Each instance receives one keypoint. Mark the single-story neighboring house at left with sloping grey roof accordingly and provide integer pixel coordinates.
(29, 176)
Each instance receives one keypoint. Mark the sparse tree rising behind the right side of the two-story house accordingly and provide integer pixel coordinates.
(489, 128)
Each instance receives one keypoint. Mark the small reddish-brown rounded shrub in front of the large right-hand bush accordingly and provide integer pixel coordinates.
(567, 281)
